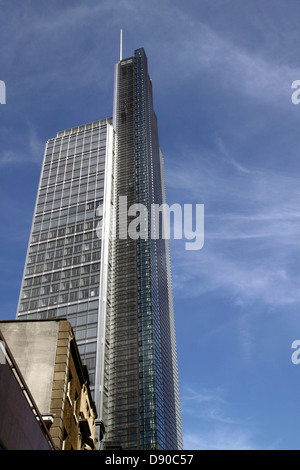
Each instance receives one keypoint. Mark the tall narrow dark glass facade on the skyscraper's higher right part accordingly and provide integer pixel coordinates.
(143, 402)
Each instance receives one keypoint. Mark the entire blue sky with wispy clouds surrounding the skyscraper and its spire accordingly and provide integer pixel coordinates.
(222, 72)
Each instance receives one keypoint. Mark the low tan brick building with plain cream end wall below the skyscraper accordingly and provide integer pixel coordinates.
(48, 358)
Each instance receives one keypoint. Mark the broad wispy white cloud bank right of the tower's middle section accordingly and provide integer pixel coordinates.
(251, 231)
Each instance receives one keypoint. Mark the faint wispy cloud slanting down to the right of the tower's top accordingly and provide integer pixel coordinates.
(243, 71)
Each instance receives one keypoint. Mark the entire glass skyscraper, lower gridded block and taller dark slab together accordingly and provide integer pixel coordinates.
(95, 258)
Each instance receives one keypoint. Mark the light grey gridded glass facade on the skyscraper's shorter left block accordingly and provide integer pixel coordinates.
(63, 265)
